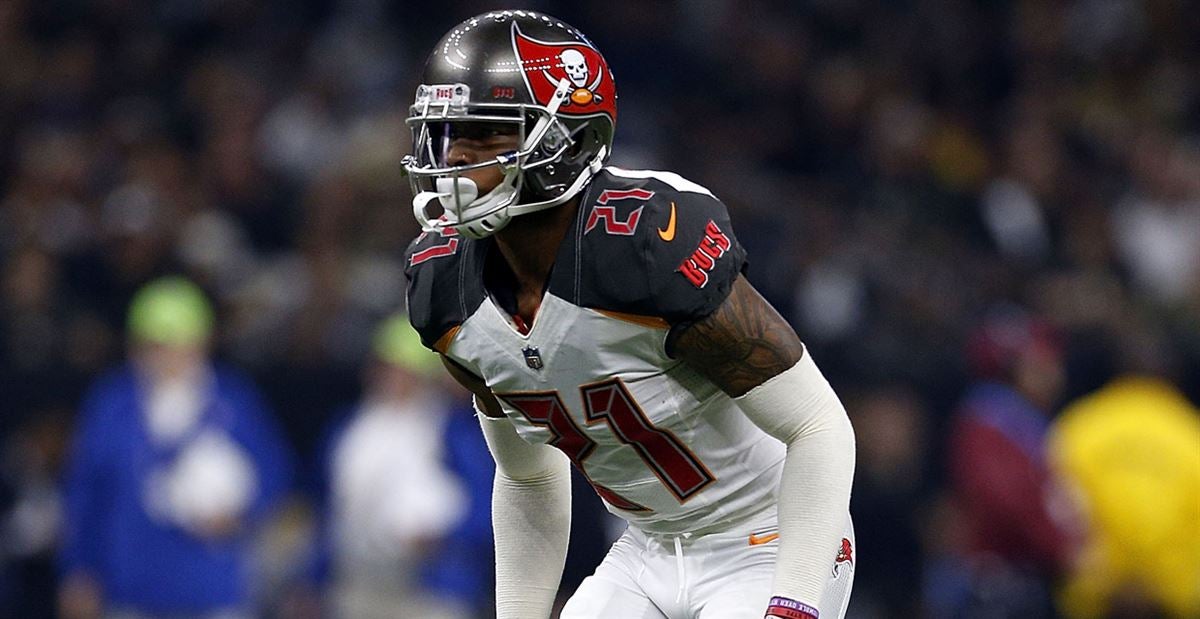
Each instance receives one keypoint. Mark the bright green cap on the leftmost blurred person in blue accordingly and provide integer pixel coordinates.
(171, 311)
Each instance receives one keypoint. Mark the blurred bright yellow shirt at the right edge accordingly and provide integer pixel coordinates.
(1133, 452)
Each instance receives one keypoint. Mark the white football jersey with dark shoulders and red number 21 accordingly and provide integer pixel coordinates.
(663, 446)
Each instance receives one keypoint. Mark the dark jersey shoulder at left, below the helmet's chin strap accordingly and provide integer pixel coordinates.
(445, 274)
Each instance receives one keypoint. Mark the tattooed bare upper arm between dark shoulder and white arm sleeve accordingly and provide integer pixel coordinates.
(742, 345)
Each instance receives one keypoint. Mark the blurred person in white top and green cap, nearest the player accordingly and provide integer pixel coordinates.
(391, 497)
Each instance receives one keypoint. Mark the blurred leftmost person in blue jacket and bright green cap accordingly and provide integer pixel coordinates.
(176, 462)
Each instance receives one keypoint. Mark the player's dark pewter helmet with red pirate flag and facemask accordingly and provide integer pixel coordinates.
(538, 76)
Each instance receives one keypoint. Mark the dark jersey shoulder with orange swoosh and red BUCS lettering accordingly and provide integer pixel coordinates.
(656, 244)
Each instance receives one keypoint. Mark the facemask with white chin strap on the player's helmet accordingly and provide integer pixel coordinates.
(440, 113)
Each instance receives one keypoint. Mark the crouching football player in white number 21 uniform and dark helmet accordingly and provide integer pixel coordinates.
(602, 320)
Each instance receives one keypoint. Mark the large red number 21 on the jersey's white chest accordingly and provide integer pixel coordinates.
(611, 404)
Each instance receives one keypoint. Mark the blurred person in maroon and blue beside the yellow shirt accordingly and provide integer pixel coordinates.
(1016, 530)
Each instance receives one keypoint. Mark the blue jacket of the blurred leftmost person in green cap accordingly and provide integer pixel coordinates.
(148, 563)
